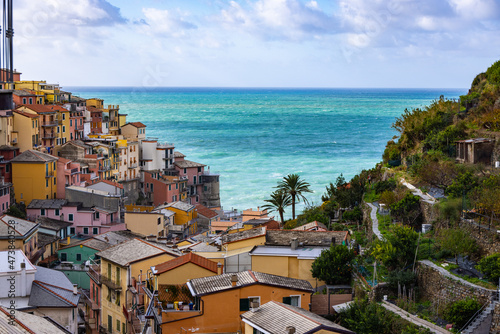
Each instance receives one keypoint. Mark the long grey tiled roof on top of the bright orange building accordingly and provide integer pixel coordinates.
(213, 284)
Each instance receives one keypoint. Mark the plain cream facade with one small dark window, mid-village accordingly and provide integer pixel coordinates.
(146, 223)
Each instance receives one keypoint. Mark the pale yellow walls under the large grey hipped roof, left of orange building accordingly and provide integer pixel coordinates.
(113, 299)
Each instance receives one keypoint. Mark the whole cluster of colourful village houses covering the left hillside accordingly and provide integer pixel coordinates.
(122, 234)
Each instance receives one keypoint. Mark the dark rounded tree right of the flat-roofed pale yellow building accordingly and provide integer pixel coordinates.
(333, 266)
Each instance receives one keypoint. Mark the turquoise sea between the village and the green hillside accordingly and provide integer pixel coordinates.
(254, 137)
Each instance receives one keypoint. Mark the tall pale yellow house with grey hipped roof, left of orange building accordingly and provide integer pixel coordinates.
(121, 266)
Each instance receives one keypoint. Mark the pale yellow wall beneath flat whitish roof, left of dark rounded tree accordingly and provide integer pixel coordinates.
(288, 266)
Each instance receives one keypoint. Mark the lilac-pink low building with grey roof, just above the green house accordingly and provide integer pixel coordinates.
(85, 221)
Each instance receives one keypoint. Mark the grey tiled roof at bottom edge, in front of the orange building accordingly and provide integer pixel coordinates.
(275, 317)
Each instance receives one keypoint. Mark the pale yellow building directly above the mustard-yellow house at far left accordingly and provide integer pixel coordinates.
(26, 130)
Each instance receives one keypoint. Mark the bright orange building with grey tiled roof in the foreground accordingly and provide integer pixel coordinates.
(218, 301)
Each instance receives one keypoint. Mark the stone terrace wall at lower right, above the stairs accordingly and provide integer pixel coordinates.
(441, 290)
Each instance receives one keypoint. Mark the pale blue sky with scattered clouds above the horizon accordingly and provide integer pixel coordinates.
(256, 43)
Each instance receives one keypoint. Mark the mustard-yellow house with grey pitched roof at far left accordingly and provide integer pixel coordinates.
(34, 176)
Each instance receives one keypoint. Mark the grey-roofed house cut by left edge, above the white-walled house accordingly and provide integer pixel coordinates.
(25, 235)
